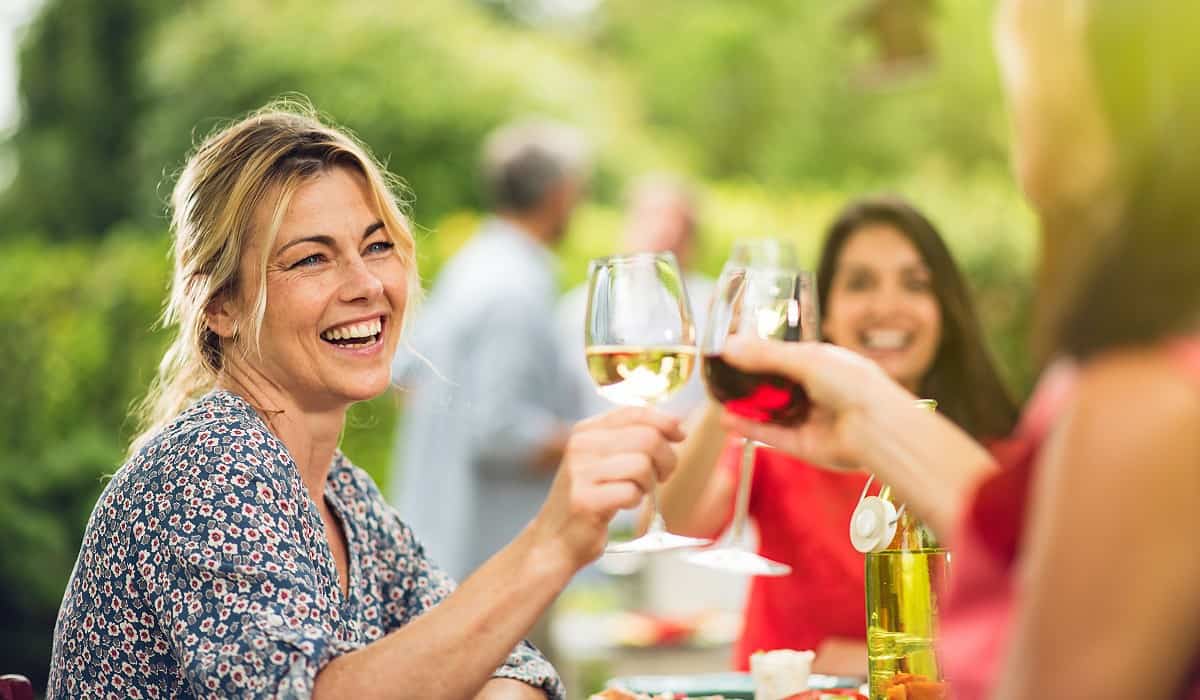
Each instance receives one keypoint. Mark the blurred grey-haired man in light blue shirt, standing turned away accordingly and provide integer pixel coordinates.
(490, 398)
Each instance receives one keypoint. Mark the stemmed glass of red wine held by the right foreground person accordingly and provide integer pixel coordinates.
(770, 302)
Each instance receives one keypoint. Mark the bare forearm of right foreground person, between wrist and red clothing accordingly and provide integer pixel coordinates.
(931, 463)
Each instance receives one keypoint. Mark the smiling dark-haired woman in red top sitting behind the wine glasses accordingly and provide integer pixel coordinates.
(890, 290)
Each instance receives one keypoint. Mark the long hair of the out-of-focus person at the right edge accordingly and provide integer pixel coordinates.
(1147, 283)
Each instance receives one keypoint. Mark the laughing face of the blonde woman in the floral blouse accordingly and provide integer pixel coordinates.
(335, 297)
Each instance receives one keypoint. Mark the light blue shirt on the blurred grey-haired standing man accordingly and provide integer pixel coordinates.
(490, 391)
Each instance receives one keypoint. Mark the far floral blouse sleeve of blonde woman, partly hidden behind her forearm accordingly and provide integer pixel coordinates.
(421, 585)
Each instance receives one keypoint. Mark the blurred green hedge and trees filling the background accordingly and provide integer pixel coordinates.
(776, 109)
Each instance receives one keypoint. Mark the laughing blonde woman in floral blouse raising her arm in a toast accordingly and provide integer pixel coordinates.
(238, 553)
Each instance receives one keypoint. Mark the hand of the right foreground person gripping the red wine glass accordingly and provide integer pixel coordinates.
(842, 386)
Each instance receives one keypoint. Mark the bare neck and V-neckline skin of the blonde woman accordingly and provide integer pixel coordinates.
(310, 435)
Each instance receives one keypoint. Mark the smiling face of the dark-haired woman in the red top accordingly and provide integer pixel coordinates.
(883, 306)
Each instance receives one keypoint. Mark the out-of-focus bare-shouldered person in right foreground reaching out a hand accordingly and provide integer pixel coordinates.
(1076, 565)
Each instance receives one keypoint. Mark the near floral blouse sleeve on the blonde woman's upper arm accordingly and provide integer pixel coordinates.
(239, 597)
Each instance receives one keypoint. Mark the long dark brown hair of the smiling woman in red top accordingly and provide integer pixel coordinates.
(963, 378)
